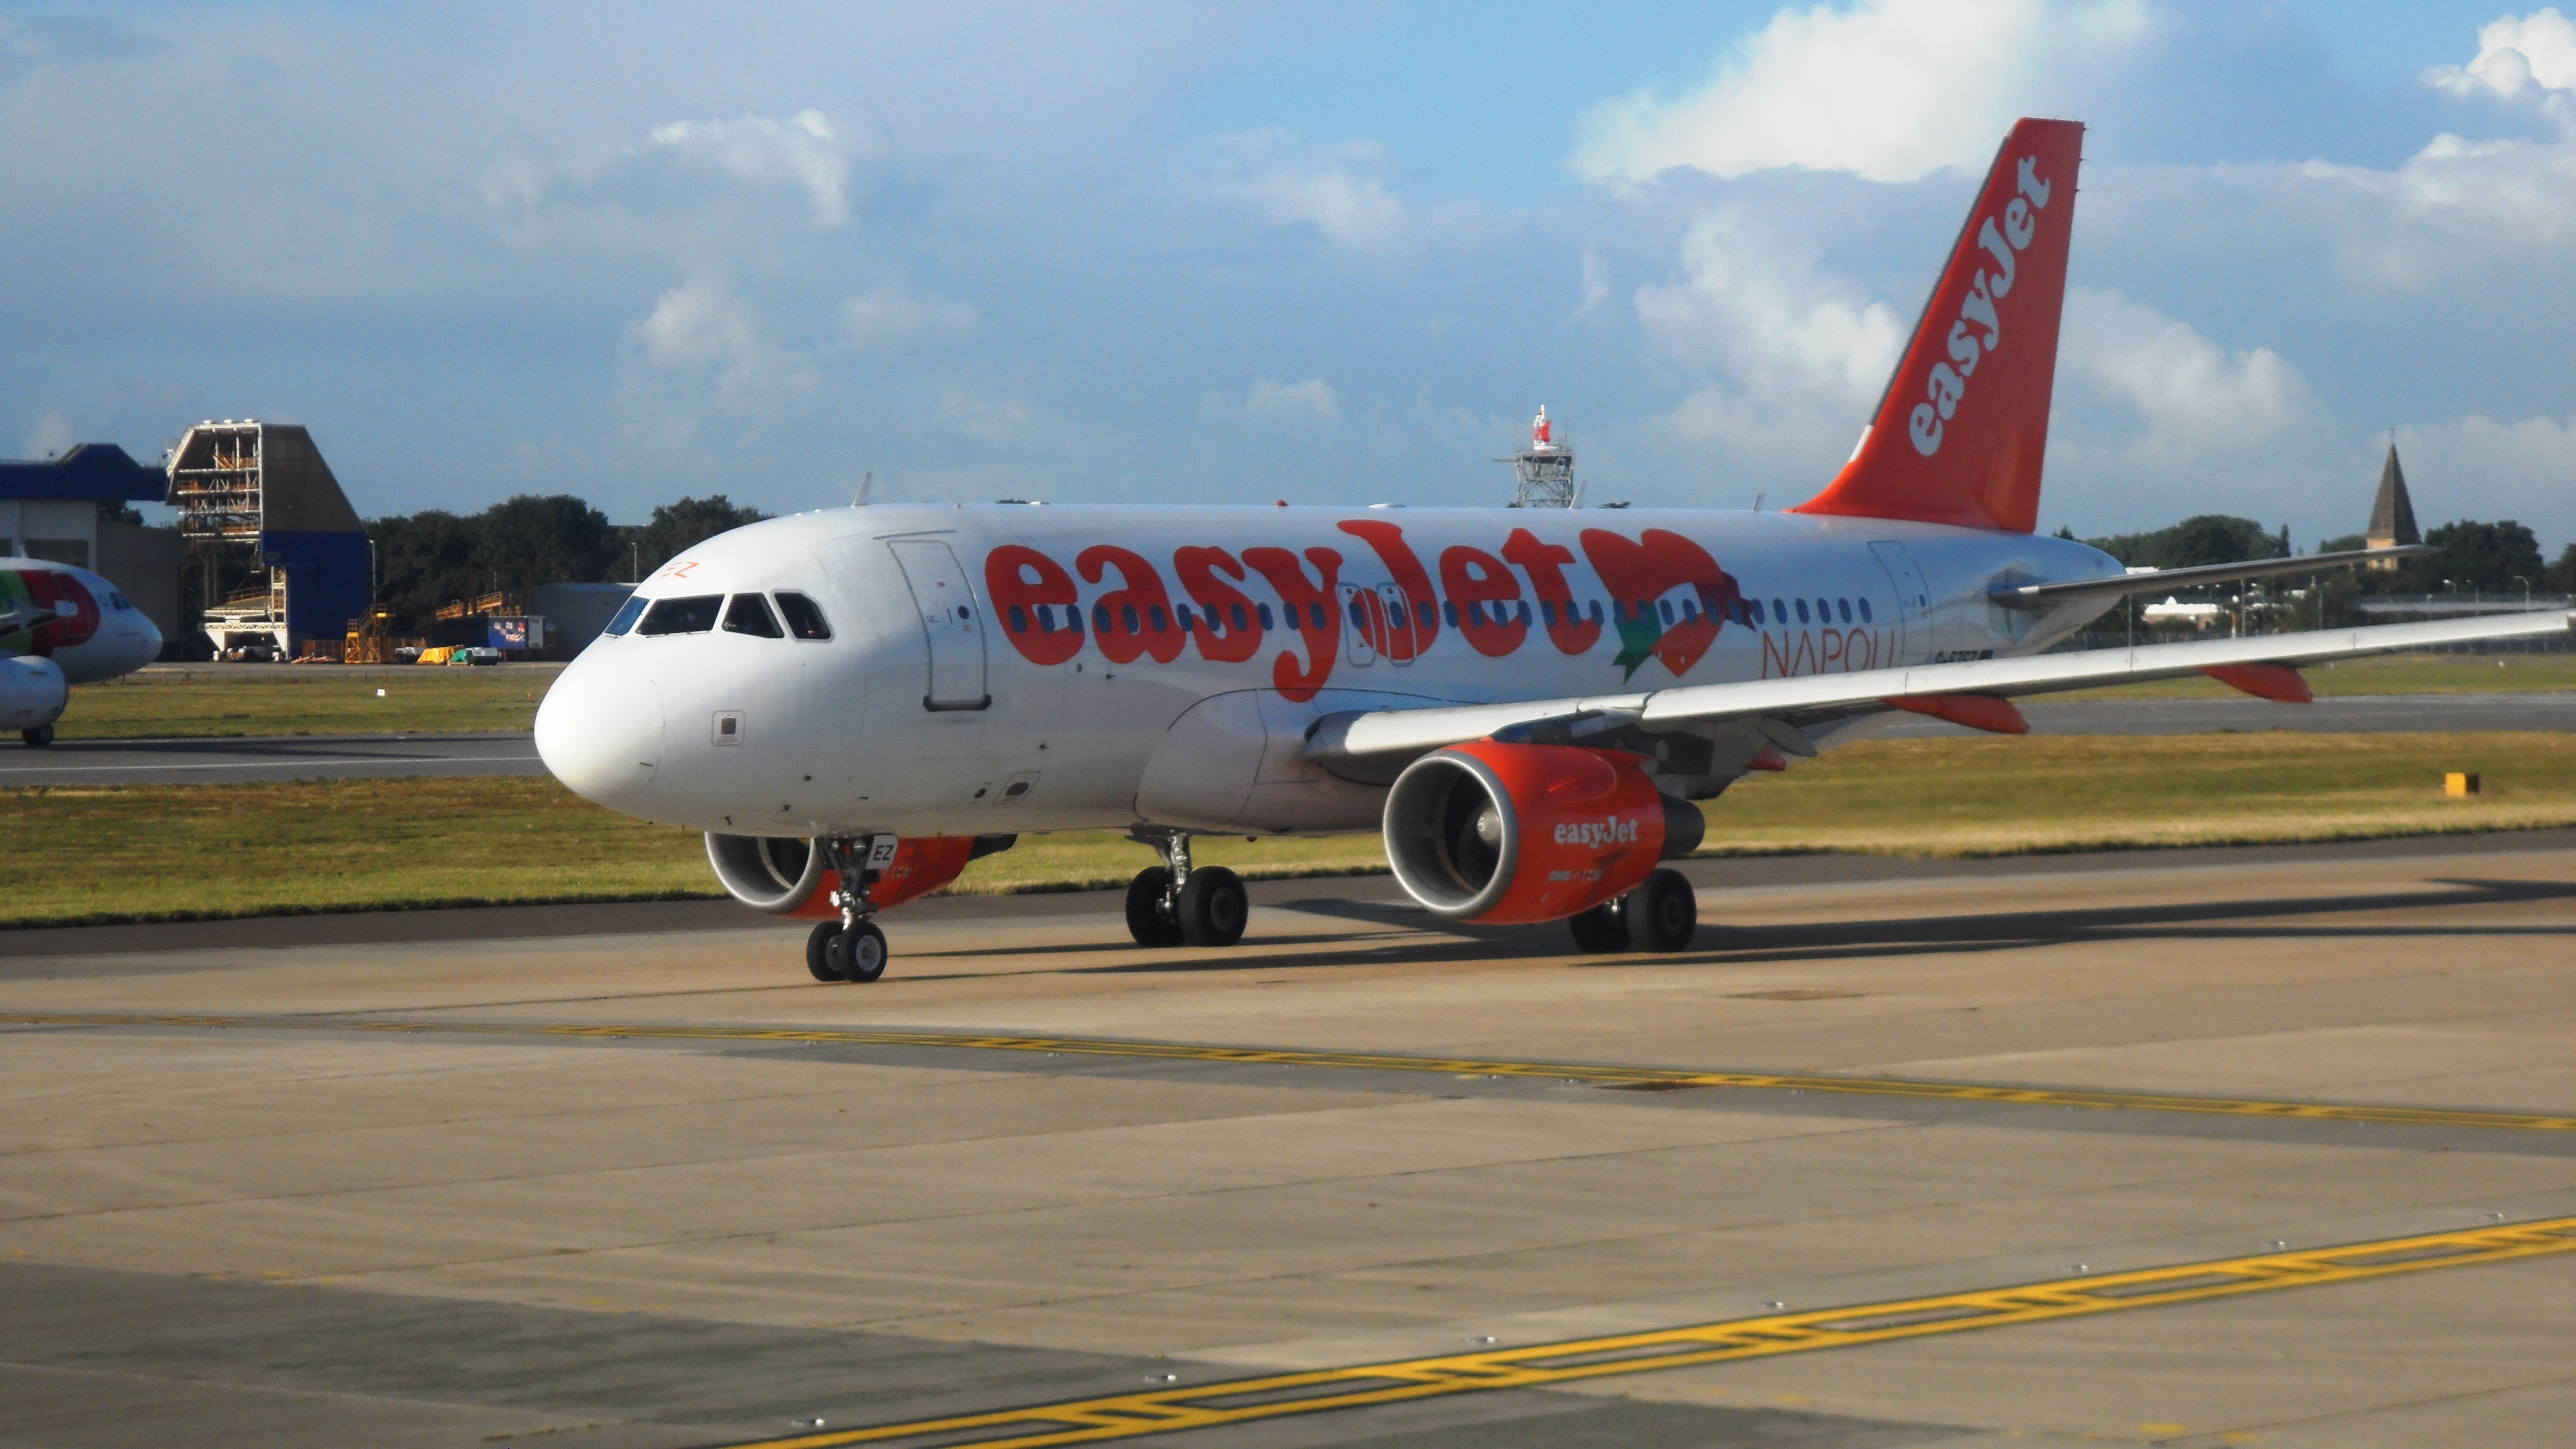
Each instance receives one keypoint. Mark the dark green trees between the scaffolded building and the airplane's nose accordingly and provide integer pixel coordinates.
(434, 558)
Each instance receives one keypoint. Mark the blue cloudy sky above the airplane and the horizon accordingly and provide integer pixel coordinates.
(1258, 251)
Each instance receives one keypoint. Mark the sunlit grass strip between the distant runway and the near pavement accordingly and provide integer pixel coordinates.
(313, 847)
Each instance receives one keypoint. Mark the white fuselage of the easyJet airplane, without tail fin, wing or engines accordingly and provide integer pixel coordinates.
(1016, 669)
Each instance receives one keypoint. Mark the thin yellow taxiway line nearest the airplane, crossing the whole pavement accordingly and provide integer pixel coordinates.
(1637, 1079)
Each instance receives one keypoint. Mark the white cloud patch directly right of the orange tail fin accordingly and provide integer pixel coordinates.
(2196, 396)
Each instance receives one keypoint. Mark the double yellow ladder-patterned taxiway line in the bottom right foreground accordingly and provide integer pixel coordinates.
(1573, 1360)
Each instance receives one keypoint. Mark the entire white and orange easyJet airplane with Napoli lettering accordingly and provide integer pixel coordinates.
(851, 705)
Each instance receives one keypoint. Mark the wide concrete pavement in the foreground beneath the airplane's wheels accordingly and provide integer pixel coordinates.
(2204, 1149)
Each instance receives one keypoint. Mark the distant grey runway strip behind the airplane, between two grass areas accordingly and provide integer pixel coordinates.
(514, 754)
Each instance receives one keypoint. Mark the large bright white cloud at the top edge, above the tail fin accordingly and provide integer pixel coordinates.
(1887, 89)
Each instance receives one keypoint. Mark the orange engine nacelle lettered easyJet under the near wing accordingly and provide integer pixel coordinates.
(1521, 834)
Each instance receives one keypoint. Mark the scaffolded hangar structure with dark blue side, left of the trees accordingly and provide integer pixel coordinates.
(282, 553)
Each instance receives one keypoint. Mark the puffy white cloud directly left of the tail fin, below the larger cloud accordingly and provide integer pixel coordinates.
(1786, 357)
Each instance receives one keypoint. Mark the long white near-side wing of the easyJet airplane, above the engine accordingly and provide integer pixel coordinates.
(1390, 736)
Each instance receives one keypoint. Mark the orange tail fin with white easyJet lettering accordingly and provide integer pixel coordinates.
(1964, 427)
